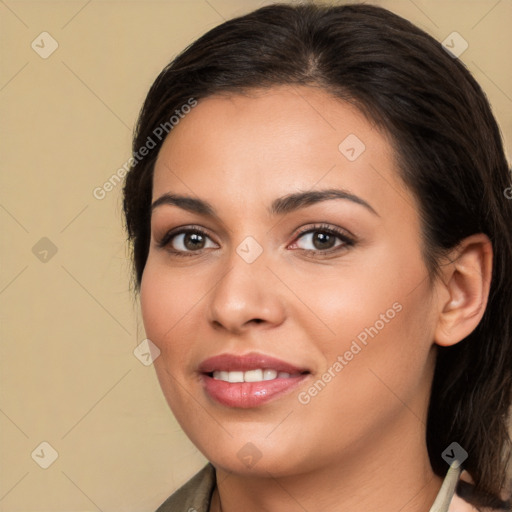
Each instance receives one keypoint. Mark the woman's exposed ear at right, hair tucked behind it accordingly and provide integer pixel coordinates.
(465, 289)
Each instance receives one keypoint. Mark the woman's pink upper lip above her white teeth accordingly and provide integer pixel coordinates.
(251, 361)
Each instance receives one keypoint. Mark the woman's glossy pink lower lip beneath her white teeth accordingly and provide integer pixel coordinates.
(249, 394)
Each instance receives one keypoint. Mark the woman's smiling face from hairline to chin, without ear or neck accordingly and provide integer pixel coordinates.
(281, 229)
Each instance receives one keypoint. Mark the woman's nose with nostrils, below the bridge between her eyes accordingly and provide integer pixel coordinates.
(246, 296)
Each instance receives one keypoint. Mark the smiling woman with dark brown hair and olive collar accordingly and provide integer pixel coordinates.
(322, 244)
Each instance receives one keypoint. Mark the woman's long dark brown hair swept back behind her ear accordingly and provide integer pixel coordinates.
(450, 156)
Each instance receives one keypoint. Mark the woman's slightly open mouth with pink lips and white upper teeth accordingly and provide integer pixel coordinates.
(250, 380)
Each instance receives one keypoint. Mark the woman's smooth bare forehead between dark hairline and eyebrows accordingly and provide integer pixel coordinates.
(274, 141)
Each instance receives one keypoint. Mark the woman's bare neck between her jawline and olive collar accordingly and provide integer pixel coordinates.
(381, 475)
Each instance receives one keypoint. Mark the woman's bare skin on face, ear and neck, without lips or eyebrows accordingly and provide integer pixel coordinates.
(359, 444)
